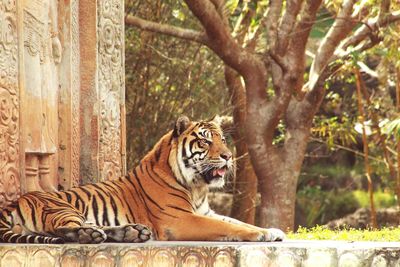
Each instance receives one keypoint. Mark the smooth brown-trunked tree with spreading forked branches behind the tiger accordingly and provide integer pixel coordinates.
(264, 46)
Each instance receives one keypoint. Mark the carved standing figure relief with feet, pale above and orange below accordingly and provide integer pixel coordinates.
(42, 52)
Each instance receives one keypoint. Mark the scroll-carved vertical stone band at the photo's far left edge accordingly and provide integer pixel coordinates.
(9, 104)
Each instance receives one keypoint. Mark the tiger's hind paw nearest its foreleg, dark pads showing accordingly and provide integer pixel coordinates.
(129, 233)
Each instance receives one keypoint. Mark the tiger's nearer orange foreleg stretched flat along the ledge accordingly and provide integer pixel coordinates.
(193, 227)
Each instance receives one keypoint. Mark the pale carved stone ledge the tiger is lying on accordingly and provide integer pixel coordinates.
(286, 254)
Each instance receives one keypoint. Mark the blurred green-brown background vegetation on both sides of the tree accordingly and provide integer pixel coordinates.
(166, 77)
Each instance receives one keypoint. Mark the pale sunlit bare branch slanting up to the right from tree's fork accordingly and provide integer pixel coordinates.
(342, 26)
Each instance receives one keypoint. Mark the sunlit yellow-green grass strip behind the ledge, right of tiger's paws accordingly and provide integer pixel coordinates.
(320, 233)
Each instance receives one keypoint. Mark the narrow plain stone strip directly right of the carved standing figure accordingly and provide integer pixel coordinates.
(69, 128)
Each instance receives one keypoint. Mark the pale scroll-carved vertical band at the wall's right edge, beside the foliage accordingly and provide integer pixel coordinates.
(111, 85)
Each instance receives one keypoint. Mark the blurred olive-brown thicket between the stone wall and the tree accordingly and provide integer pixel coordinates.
(166, 77)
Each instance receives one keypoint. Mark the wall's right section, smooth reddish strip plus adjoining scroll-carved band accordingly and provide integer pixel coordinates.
(102, 84)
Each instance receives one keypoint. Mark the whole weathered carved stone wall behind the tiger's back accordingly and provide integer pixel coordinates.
(61, 94)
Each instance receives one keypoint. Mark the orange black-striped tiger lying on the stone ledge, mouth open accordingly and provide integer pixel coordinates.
(163, 198)
